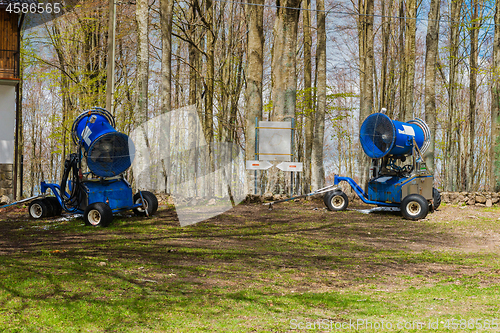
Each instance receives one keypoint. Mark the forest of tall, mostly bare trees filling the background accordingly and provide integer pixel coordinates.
(327, 64)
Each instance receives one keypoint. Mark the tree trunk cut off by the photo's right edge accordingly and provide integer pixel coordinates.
(495, 106)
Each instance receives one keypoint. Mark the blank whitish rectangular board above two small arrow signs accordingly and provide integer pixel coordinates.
(275, 139)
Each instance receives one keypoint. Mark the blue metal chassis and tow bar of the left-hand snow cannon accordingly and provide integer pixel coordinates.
(116, 204)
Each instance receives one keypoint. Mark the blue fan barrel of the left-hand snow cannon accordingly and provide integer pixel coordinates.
(109, 152)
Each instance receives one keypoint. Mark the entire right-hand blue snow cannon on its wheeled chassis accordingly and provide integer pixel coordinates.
(393, 183)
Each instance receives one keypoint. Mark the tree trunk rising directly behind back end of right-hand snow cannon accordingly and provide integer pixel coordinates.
(432, 43)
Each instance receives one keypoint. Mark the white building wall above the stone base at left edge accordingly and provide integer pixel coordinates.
(7, 123)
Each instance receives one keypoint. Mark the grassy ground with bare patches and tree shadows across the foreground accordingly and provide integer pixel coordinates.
(247, 270)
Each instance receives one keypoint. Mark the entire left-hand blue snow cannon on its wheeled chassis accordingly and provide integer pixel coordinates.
(102, 191)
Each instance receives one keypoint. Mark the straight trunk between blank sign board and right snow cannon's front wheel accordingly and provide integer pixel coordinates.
(318, 171)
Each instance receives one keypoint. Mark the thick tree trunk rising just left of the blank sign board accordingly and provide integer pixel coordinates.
(254, 76)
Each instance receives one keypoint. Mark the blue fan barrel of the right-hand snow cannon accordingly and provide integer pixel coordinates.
(380, 136)
